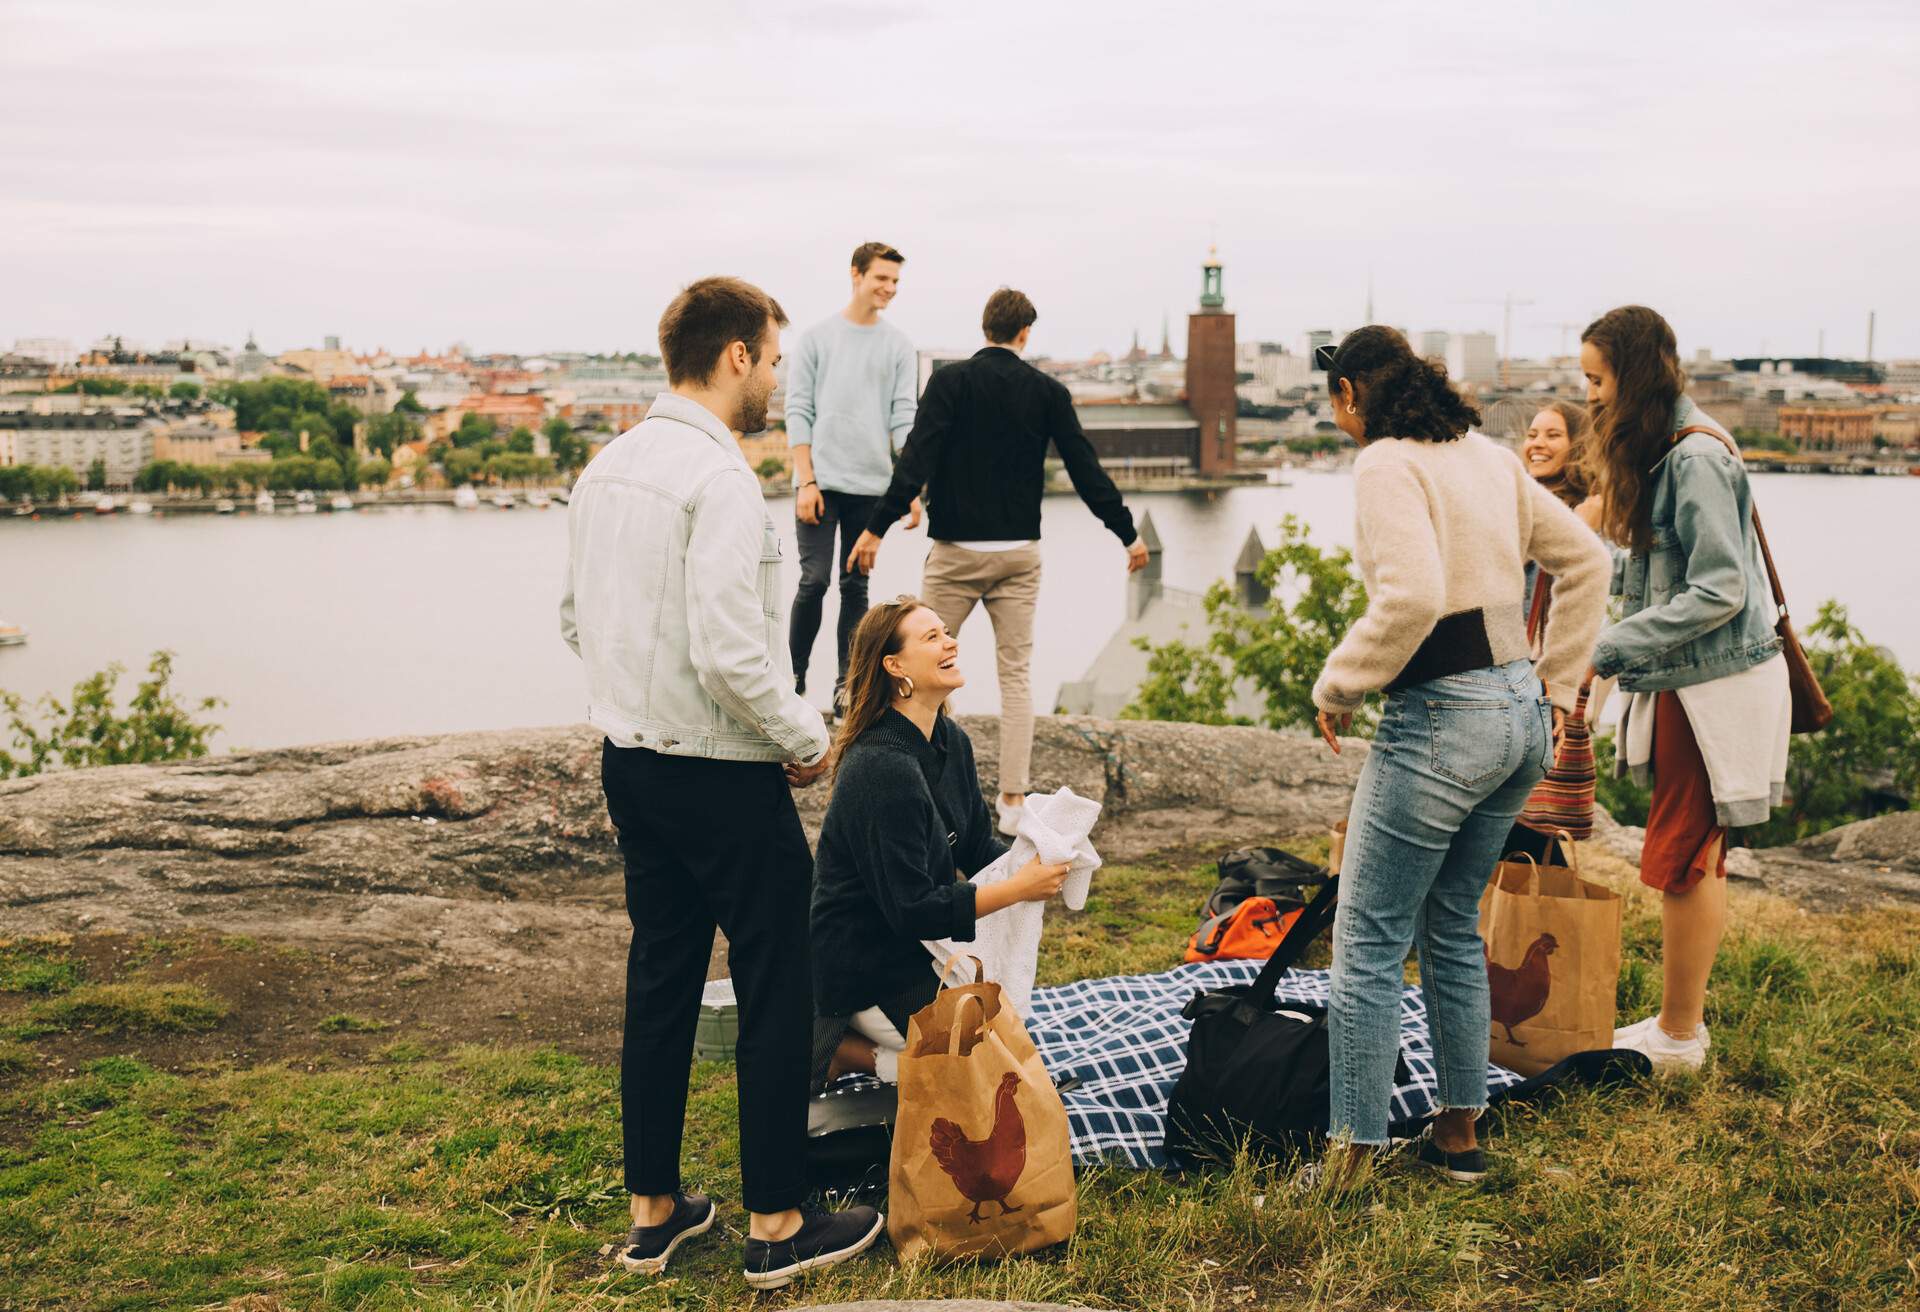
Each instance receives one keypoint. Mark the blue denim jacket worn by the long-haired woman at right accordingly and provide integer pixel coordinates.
(1698, 604)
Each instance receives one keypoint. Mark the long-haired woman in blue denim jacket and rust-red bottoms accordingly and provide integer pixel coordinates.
(1696, 652)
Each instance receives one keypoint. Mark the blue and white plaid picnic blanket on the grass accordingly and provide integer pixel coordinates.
(1126, 1042)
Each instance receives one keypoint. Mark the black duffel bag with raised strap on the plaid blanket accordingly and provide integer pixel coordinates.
(1257, 1071)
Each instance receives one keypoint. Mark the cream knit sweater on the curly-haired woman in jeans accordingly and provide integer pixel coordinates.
(1445, 529)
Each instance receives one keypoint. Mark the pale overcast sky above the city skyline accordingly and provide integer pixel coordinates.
(546, 176)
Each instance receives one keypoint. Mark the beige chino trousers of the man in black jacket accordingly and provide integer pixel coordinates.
(1009, 585)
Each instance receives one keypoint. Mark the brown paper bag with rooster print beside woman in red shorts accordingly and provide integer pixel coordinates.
(1552, 963)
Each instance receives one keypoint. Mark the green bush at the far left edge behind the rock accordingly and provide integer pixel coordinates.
(89, 729)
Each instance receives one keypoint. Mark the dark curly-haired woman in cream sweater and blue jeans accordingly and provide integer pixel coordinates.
(1447, 525)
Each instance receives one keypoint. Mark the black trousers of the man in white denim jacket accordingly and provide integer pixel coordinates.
(713, 844)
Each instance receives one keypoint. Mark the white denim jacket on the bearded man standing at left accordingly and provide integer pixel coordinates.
(675, 600)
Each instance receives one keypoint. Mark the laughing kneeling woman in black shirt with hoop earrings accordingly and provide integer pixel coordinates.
(903, 833)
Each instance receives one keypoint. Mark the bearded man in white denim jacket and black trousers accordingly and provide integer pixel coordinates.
(675, 606)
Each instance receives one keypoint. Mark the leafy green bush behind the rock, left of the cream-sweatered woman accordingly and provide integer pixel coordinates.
(1316, 600)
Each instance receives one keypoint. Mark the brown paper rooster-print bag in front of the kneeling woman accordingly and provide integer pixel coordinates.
(982, 1161)
